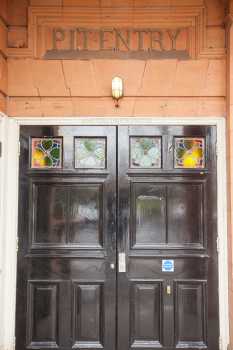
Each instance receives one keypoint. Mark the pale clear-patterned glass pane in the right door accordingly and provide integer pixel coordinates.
(145, 152)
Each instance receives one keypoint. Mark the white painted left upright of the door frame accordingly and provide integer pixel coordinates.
(9, 231)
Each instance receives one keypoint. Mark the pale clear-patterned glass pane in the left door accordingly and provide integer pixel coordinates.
(90, 153)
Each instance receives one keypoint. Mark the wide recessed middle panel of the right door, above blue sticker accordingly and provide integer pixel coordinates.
(167, 214)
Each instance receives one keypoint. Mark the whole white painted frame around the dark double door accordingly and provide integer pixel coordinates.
(9, 136)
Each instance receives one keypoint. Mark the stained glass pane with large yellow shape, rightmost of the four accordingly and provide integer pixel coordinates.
(189, 152)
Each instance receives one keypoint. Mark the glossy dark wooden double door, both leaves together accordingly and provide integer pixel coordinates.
(117, 240)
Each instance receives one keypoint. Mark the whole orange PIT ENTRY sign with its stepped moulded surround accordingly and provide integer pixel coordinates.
(164, 31)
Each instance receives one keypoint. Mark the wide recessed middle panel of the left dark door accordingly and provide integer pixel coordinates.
(65, 214)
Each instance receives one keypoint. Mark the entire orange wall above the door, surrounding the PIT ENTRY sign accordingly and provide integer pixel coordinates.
(152, 88)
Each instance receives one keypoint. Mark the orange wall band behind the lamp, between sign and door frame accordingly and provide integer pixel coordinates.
(83, 88)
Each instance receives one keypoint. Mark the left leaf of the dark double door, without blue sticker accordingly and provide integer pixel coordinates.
(66, 290)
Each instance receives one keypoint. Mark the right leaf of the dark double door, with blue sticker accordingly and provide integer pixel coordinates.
(167, 217)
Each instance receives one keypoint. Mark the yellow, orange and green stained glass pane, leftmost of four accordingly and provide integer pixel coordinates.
(46, 153)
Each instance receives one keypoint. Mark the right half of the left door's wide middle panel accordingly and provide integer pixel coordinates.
(85, 215)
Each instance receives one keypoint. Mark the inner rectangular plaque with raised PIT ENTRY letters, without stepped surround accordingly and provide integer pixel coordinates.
(117, 43)
